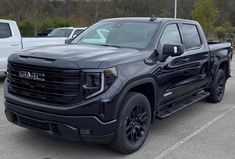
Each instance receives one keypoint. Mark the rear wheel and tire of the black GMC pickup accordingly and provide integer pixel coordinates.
(218, 87)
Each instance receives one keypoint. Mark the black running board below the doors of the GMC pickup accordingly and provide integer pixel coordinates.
(169, 110)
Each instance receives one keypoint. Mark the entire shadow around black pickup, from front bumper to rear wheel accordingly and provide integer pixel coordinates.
(172, 128)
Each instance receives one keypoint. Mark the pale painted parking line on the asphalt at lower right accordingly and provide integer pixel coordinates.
(193, 134)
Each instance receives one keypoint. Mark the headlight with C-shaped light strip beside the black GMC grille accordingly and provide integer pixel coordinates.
(97, 81)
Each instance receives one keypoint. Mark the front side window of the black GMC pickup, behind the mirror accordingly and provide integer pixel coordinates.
(171, 35)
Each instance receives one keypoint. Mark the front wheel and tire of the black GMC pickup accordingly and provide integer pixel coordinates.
(134, 122)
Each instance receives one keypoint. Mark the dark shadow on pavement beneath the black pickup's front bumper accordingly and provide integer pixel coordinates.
(52, 147)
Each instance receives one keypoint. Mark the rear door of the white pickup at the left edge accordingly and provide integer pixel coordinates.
(8, 44)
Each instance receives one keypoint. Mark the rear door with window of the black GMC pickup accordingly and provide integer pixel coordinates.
(198, 57)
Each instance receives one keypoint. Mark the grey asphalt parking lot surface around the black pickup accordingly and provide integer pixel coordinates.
(201, 131)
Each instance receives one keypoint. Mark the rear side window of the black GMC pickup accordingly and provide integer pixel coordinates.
(191, 36)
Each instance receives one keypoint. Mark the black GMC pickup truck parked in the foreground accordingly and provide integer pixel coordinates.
(110, 82)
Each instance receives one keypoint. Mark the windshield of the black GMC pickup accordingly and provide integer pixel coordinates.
(120, 34)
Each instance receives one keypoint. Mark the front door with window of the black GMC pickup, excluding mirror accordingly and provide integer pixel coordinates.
(174, 74)
